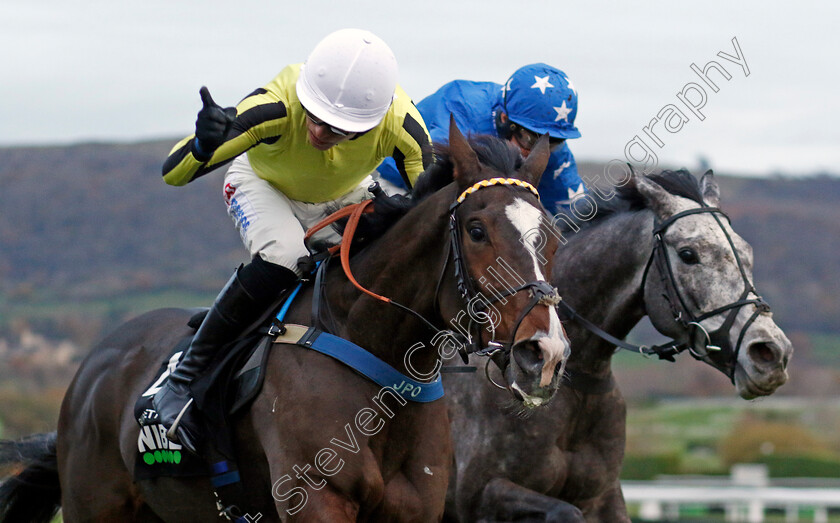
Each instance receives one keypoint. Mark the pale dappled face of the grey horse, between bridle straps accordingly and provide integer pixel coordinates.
(707, 272)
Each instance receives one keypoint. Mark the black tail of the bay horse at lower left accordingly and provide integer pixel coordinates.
(32, 493)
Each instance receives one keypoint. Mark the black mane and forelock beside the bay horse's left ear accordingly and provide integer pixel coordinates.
(493, 152)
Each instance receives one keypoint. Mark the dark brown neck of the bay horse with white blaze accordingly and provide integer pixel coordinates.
(403, 266)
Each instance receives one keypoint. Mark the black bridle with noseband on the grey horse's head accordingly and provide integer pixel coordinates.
(717, 341)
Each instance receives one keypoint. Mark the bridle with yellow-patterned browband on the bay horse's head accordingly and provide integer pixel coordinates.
(541, 292)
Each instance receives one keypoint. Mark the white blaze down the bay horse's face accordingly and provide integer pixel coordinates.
(553, 344)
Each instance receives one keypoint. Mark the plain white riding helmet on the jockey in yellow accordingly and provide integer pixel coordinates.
(349, 79)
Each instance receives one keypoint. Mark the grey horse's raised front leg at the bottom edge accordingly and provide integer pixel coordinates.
(503, 500)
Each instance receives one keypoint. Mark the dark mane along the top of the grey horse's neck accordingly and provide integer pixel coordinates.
(629, 199)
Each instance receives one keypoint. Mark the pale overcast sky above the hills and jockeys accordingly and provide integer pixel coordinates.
(74, 71)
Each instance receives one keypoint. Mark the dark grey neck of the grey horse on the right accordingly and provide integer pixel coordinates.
(601, 272)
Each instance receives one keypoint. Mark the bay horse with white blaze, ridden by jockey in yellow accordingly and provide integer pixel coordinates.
(389, 461)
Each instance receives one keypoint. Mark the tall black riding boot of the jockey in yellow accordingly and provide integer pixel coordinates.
(249, 292)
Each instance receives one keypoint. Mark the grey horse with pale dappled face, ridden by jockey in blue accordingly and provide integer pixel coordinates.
(661, 248)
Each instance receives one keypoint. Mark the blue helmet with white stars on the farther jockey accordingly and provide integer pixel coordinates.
(542, 99)
